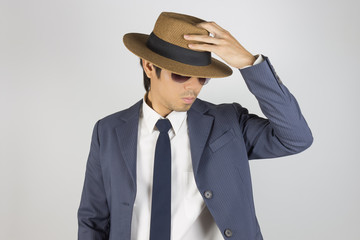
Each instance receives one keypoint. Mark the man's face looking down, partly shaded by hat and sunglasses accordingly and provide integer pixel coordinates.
(166, 95)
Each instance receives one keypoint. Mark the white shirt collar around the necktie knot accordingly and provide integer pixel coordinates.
(150, 117)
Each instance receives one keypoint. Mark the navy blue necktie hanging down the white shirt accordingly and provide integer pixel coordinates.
(161, 195)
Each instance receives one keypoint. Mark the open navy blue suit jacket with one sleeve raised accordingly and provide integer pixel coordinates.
(223, 138)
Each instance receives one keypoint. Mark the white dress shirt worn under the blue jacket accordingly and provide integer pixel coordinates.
(190, 218)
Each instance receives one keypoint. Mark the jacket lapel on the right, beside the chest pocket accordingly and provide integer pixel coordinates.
(199, 126)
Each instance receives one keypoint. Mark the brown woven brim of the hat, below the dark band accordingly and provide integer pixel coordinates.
(136, 43)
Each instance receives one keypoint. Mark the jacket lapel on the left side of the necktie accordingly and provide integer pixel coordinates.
(127, 133)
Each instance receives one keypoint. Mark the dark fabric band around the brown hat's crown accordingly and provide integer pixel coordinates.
(177, 53)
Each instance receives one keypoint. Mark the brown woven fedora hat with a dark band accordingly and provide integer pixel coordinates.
(166, 47)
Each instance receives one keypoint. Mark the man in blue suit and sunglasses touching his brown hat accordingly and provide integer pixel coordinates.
(173, 166)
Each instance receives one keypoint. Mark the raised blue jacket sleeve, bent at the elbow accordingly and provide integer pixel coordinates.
(285, 130)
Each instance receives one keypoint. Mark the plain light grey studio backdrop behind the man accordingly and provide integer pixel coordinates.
(63, 66)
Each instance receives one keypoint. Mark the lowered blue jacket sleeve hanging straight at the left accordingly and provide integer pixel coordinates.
(93, 213)
